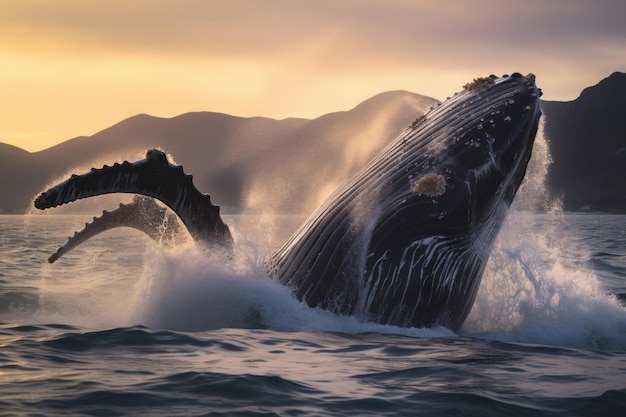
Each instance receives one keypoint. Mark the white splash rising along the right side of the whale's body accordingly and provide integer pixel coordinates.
(537, 288)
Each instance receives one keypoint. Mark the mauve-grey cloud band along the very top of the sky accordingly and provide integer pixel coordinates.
(259, 29)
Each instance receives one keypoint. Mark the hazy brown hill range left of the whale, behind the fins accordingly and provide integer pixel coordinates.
(244, 163)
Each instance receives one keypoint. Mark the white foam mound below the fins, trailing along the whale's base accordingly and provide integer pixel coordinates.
(188, 290)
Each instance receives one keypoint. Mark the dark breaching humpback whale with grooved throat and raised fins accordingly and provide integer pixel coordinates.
(403, 242)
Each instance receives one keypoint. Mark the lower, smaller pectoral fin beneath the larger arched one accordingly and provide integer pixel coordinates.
(142, 214)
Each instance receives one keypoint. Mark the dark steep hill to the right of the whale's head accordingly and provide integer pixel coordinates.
(587, 139)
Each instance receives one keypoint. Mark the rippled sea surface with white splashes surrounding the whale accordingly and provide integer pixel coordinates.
(122, 326)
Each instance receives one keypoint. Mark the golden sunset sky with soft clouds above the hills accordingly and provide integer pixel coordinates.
(70, 68)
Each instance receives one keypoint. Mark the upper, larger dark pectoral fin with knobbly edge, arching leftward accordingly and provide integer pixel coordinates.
(155, 177)
